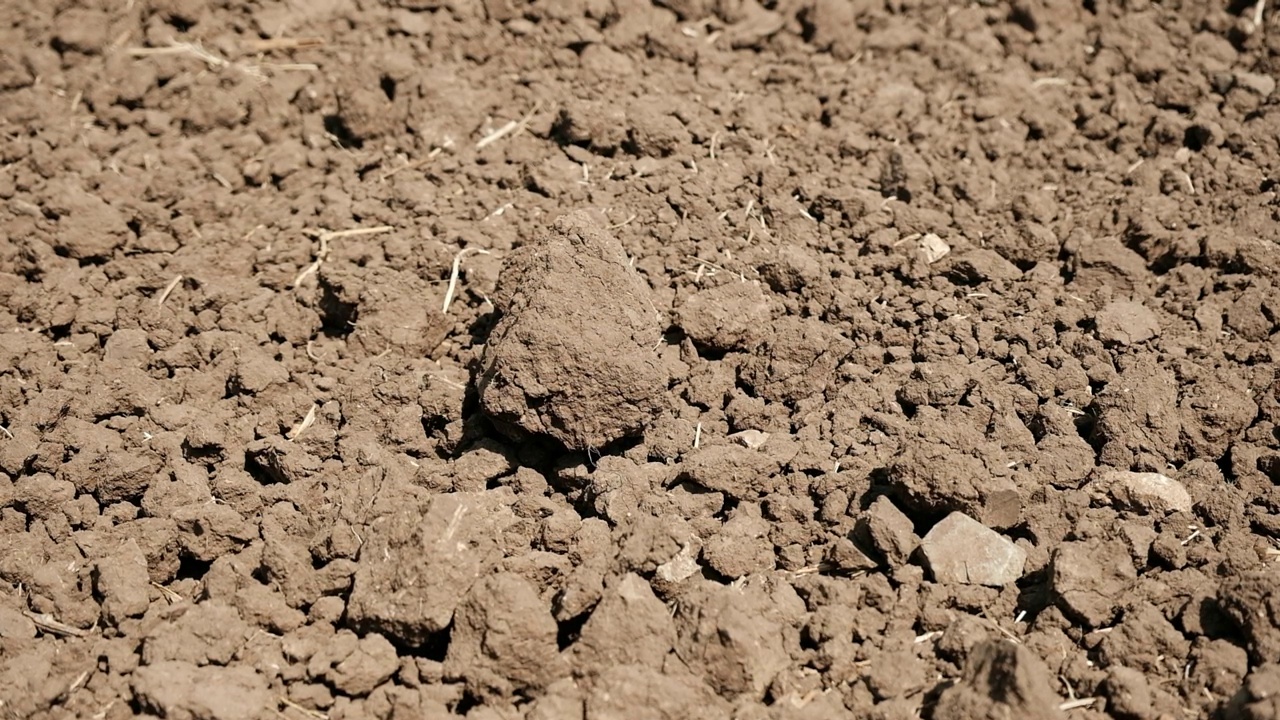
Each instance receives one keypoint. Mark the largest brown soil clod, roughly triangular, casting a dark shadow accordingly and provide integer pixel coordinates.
(574, 353)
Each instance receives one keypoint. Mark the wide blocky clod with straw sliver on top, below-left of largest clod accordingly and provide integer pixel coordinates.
(415, 567)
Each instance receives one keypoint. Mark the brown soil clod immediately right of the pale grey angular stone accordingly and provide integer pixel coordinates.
(1091, 578)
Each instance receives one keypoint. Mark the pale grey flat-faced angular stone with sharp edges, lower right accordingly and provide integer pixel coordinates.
(962, 550)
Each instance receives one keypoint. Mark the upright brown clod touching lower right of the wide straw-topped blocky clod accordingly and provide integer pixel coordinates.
(505, 640)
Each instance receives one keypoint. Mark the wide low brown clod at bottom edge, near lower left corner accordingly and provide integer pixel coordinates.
(181, 691)
